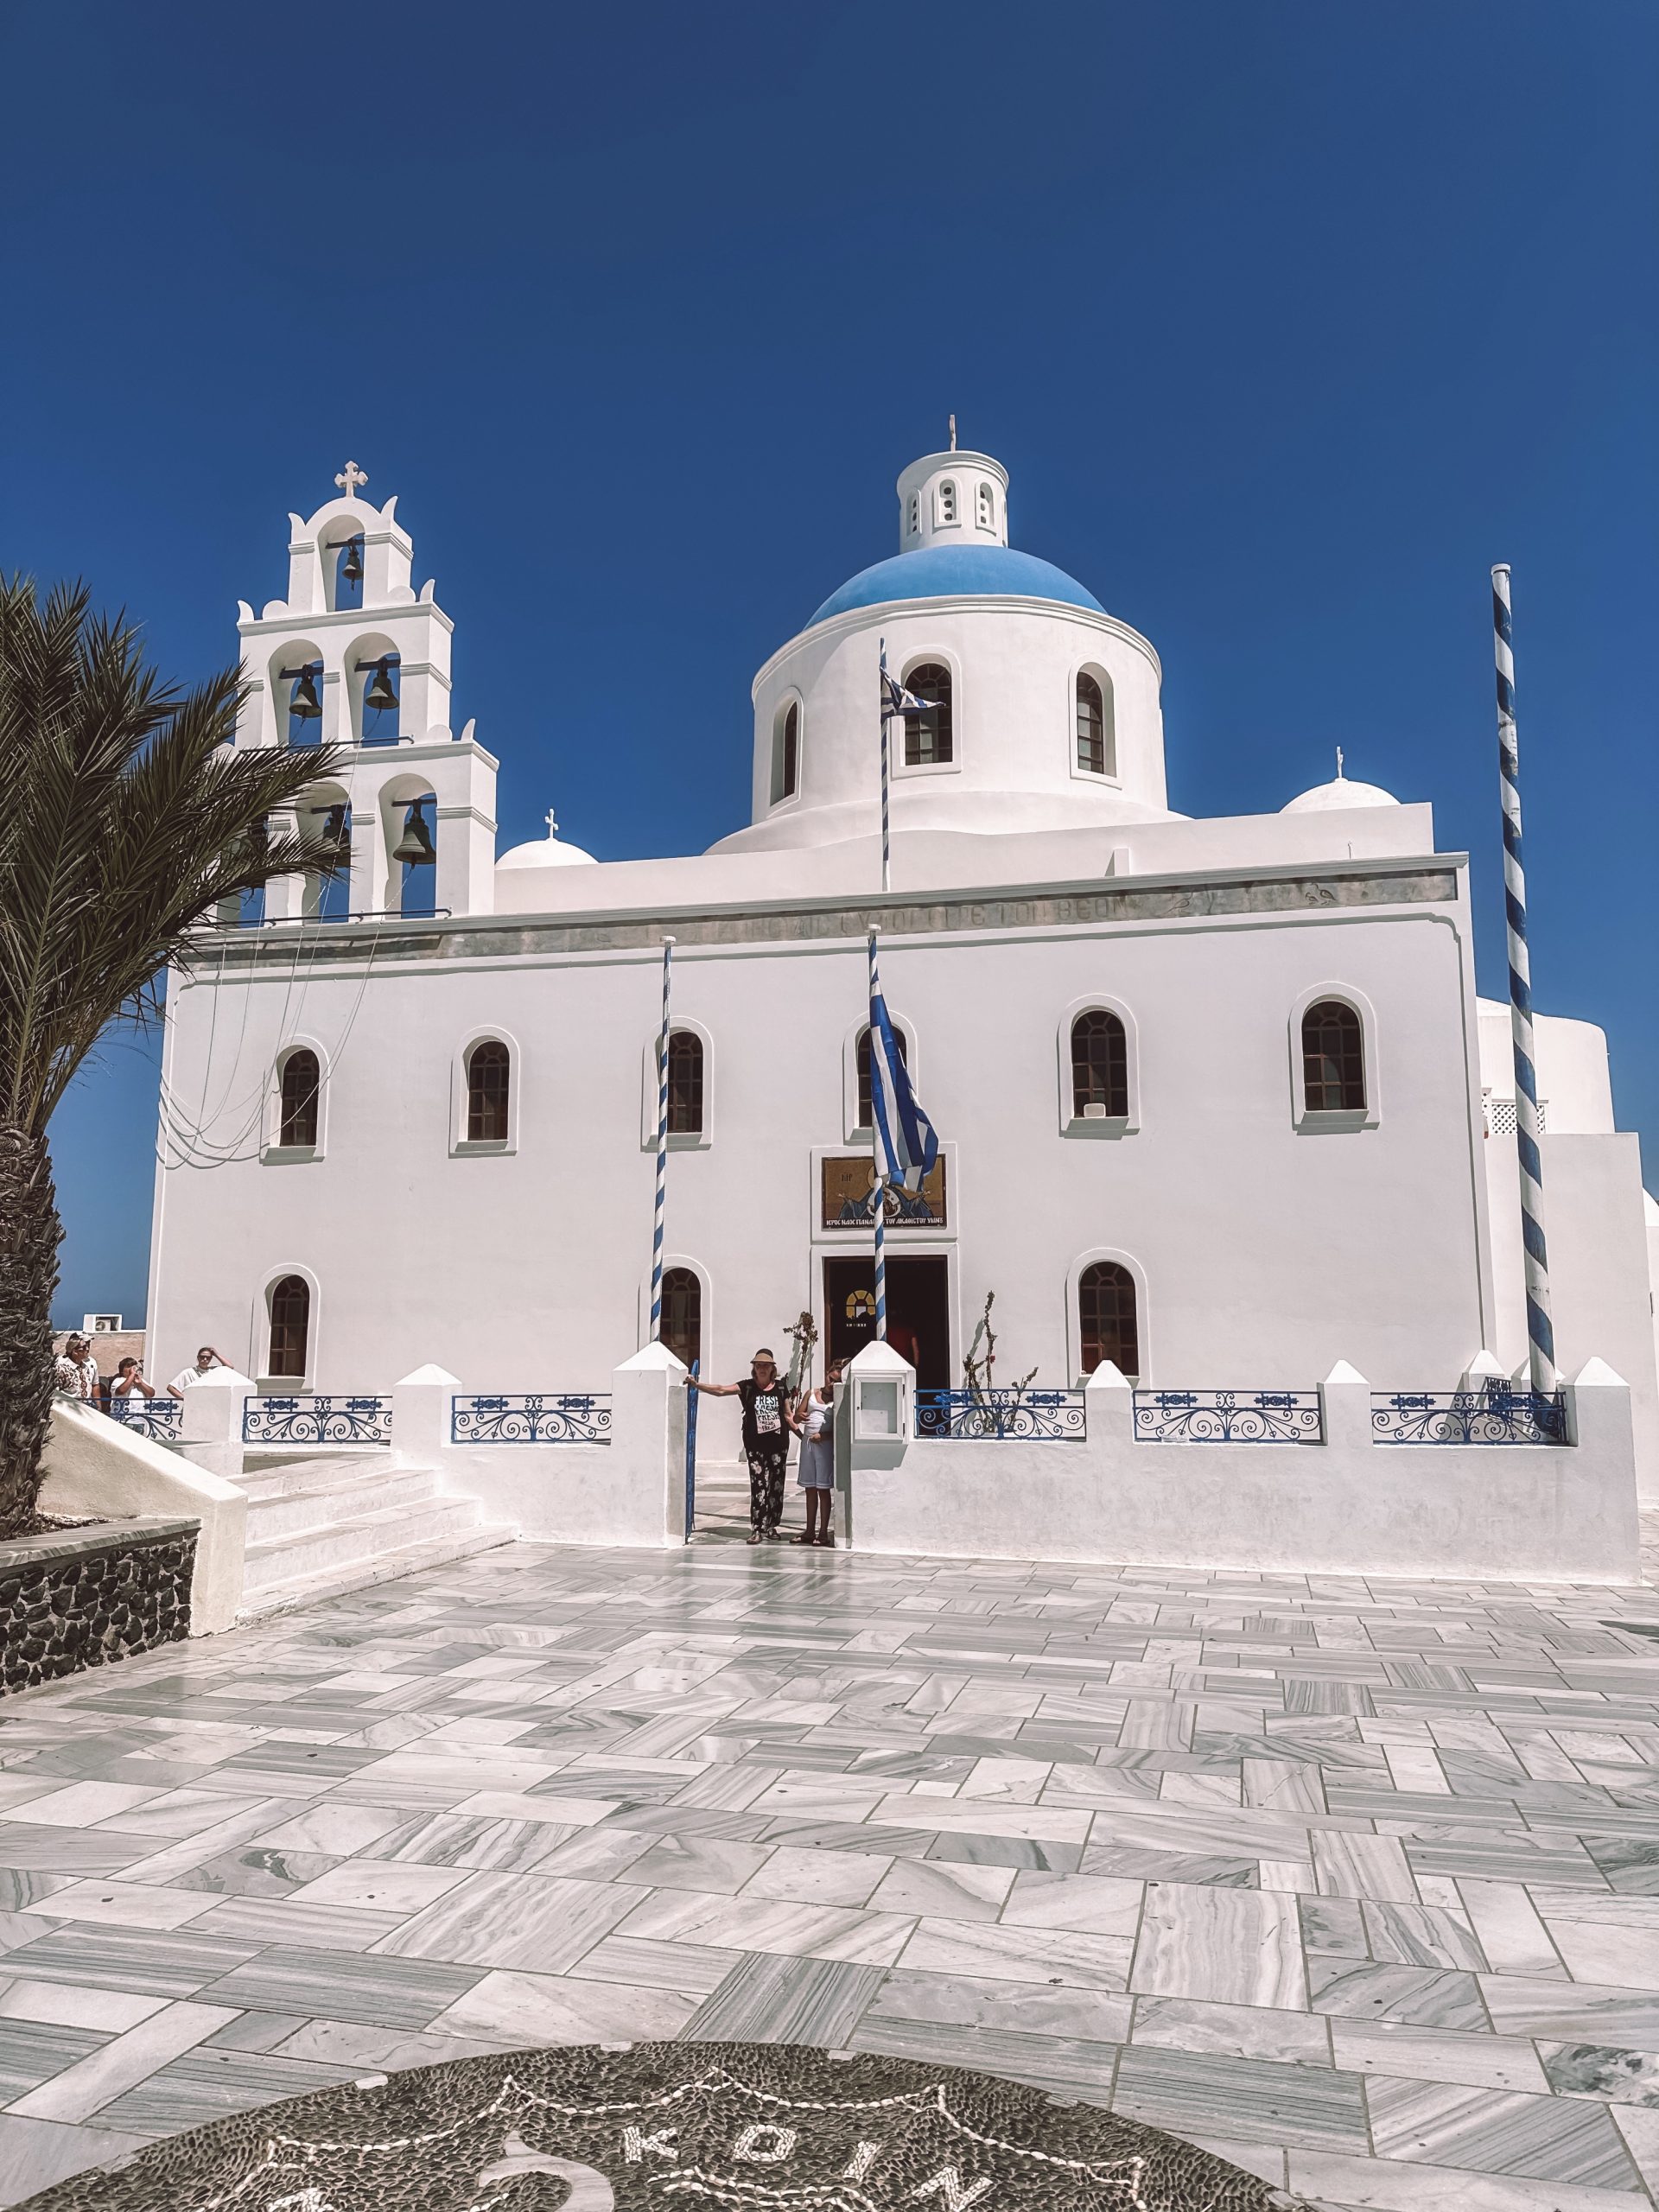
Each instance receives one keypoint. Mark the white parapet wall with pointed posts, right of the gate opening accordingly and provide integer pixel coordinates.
(1346, 1505)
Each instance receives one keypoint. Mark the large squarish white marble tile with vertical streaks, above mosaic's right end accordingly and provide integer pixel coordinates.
(1224, 1945)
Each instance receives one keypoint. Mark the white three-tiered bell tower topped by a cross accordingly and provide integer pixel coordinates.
(355, 656)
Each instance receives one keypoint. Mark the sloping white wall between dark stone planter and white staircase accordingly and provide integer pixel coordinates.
(103, 1470)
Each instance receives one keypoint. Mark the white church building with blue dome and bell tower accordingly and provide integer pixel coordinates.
(1218, 1098)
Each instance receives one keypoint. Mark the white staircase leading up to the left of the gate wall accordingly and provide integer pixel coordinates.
(324, 1523)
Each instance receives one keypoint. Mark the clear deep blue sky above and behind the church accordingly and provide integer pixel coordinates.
(1288, 322)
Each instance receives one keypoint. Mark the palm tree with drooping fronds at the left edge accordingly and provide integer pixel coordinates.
(125, 822)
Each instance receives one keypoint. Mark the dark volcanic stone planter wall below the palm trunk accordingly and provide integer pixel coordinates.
(92, 1596)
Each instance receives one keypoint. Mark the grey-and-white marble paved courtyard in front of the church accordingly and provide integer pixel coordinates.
(1355, 1881)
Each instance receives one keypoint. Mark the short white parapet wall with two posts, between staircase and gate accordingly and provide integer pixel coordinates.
(629, 1490)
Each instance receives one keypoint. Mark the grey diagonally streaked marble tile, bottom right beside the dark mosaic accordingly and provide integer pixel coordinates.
(1499, 2133)
